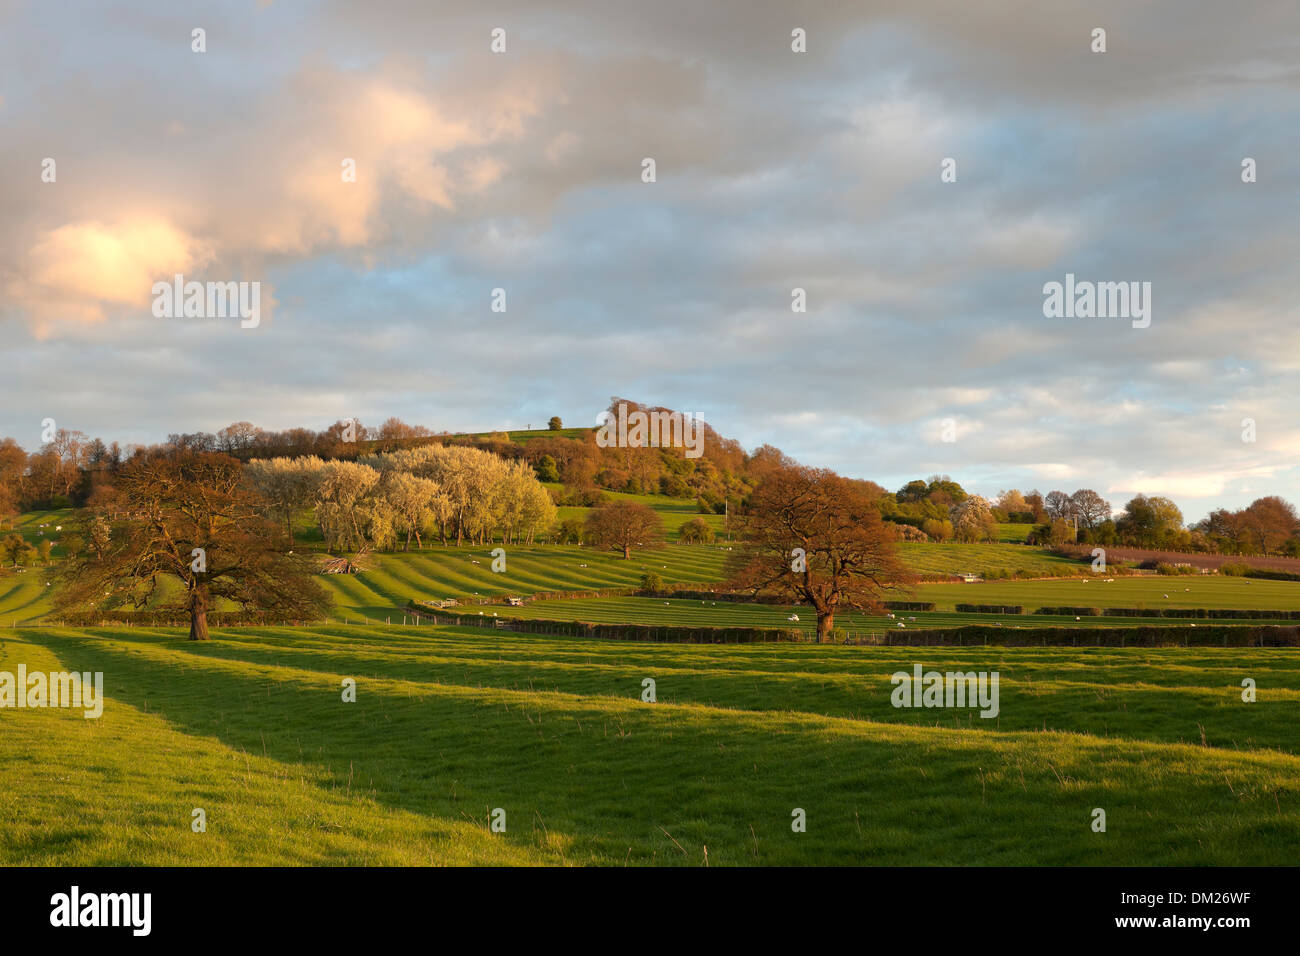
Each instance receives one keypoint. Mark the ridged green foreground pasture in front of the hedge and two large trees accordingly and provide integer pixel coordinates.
(452, 724)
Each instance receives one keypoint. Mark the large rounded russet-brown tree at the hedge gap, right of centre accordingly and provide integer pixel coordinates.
(816, 538)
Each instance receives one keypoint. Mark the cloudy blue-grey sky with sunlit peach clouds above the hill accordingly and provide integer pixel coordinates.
(924, 349)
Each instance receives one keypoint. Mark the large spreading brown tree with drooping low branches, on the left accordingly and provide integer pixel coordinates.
(193, 518)
